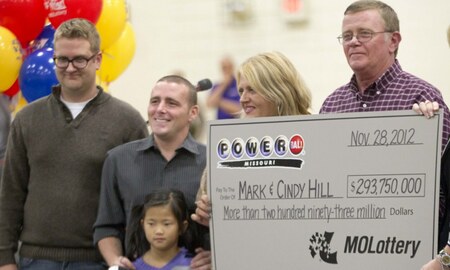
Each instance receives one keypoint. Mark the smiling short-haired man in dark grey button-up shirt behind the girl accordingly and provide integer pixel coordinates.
(169, 158)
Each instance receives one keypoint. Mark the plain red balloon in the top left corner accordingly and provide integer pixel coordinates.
(25, 18)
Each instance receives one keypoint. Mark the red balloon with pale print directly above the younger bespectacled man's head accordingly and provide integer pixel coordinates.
(63, 10)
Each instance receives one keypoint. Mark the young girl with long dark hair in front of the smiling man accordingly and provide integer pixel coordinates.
(158, 235)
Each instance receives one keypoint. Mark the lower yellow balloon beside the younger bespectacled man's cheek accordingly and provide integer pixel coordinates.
(118, 56)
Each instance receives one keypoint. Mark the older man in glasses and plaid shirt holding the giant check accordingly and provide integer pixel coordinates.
(370, 39)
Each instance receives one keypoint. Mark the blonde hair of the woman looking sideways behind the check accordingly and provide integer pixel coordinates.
(275, 78)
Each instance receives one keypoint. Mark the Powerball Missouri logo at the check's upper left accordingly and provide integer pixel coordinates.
(265, 152)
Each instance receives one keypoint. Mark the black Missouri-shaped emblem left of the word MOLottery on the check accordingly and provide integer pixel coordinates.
(321, 244)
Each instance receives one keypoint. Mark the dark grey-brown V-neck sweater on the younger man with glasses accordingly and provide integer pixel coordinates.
(50, 189)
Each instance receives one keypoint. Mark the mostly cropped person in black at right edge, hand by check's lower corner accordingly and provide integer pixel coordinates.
(442, 260)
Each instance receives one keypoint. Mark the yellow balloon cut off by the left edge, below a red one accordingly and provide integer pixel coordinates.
(11, 58)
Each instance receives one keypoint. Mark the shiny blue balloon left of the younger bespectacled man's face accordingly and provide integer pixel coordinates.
(37, 74)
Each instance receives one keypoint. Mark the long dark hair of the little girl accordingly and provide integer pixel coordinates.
(136, 242)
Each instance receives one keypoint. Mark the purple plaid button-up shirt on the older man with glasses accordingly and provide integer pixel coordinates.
(394, 90)
